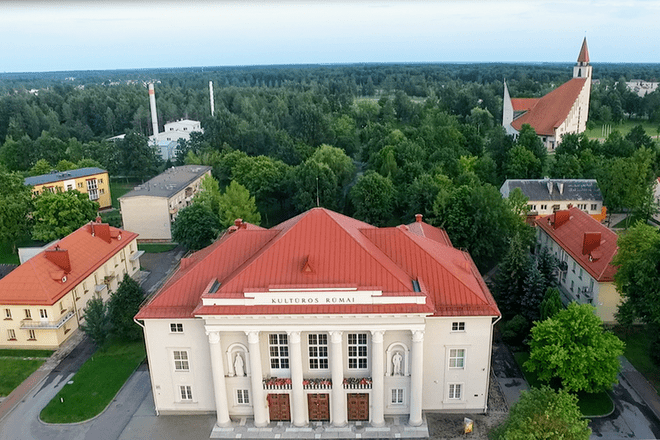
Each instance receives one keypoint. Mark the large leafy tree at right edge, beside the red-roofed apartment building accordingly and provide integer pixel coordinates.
(638, 277)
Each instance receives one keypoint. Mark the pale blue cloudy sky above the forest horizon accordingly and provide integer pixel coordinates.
(90, 35)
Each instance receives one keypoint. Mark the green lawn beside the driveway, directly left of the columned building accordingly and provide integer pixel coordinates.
(95, 384)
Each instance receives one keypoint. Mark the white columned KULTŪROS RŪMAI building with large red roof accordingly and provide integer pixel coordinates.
(322, 318)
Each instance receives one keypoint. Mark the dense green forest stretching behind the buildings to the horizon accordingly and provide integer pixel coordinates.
(378, 142)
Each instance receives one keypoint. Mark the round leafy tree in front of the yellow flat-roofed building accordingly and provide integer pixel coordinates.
(56, 215)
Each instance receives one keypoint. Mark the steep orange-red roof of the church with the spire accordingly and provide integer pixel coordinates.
(551, 110)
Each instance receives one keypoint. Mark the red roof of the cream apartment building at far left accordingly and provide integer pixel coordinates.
(38, 280)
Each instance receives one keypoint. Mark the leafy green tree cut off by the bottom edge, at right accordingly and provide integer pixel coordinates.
(543, 413)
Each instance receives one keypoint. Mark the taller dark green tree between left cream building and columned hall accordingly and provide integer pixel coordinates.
(123, 305)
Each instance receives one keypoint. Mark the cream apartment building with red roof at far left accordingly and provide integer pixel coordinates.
(43, 300)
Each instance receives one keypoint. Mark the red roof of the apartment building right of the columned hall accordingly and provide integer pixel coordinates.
(570, 236)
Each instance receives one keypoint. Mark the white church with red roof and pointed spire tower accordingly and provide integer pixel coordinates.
(562, 111)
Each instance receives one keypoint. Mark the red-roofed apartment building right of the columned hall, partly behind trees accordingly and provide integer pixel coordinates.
(587, 248)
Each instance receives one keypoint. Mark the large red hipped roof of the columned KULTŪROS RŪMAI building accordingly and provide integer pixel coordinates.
(321, 249)
